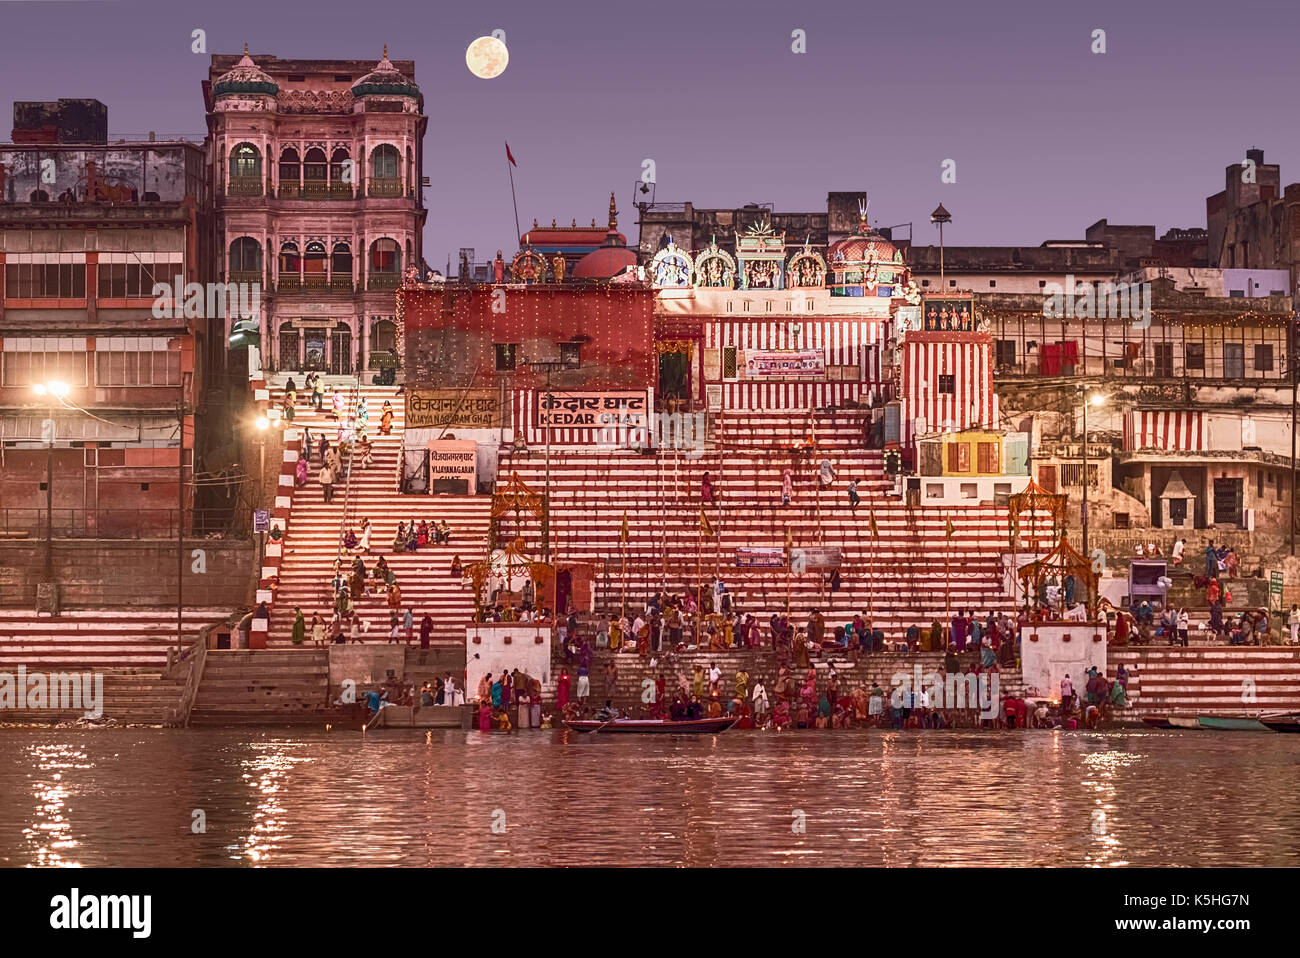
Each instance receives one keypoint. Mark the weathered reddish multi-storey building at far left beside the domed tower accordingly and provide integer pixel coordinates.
(88, 356)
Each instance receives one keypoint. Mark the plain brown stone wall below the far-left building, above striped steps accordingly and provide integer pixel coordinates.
(142, 573)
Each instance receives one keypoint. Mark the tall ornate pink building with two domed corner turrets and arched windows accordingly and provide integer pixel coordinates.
(318, 180)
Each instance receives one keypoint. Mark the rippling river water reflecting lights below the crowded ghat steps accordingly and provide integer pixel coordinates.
(309, 797)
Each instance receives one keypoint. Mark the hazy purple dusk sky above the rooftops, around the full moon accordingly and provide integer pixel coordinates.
(1047, 136)
